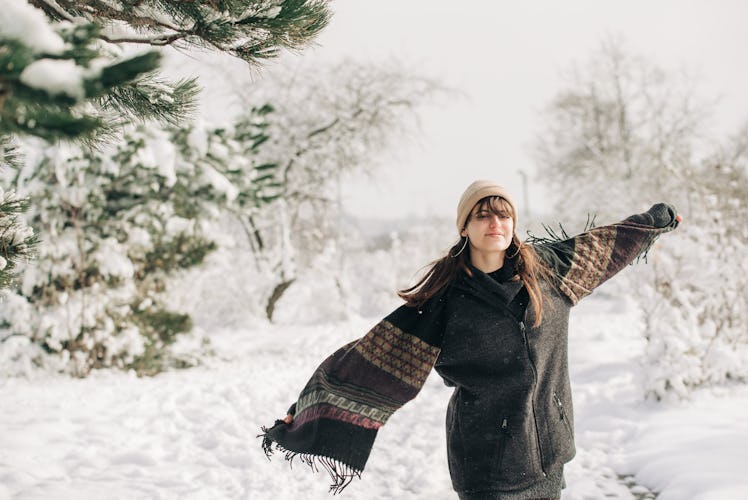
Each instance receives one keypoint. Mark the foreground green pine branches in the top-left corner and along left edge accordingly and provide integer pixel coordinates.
(62, 76)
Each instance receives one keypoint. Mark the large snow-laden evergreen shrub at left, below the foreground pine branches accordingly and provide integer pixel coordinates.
(117, 225)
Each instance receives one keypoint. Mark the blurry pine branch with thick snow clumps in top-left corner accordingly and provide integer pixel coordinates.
(51, 75)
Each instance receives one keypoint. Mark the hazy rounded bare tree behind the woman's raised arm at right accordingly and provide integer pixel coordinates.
(619, 122)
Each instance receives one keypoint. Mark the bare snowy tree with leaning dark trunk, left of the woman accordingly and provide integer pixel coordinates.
(329, 122)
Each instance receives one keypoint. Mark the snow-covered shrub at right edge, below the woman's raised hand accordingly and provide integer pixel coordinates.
(694, 303)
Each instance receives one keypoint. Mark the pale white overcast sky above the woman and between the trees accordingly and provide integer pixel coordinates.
(506, 57)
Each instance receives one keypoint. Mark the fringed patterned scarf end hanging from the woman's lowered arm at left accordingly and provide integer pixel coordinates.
(356, 389)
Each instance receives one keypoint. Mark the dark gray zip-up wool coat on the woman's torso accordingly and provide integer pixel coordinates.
(510, 419)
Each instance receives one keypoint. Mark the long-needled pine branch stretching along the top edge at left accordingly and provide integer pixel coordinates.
(252, 30)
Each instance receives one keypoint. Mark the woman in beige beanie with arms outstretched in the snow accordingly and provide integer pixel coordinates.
(491, 317)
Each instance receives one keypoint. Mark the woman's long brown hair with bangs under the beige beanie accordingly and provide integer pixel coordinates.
(442, 272)
